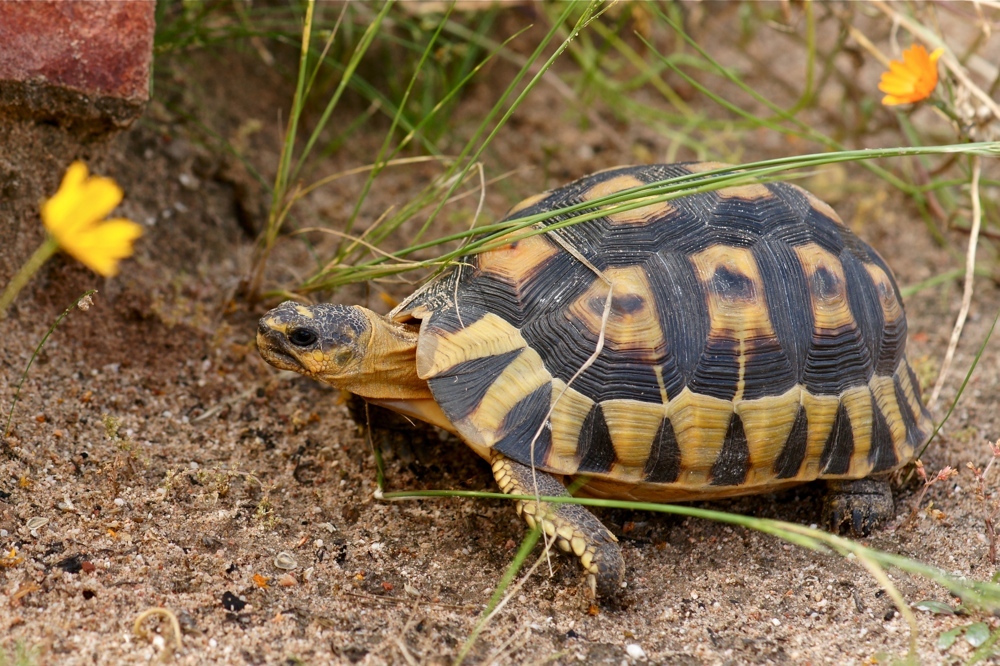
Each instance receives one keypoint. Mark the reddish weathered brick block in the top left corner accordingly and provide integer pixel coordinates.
(82, 65)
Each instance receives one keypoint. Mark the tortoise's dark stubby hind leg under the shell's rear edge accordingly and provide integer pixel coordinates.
(858, 506)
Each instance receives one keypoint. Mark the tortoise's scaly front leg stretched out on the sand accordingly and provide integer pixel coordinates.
(575, 529)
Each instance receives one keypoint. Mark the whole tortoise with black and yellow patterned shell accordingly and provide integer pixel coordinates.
(723, 343)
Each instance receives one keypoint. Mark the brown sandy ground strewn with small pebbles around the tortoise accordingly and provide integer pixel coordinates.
(156, 461)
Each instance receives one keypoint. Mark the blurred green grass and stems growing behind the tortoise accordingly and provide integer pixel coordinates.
(405, 67)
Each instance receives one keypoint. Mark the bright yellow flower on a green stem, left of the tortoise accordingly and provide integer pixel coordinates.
(75, 218)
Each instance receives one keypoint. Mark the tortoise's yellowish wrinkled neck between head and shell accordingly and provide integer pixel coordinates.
(389, 365)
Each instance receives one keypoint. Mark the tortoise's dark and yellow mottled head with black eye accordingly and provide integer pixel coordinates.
(325, 342)
